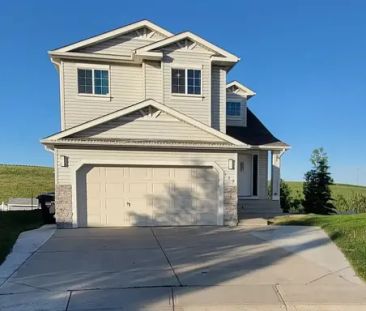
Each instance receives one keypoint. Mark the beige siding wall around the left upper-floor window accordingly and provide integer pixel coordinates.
(126, 89)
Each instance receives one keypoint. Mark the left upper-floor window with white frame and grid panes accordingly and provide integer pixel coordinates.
(93, 81)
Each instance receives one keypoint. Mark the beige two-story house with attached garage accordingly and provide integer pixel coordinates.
(153, 134)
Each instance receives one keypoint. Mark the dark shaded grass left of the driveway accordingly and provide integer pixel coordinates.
(12, 224)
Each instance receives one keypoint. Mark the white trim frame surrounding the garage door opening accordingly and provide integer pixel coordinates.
(220, 172)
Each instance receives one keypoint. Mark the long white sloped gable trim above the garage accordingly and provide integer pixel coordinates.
(53, 139)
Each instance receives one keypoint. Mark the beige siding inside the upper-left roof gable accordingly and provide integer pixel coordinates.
(121, 45)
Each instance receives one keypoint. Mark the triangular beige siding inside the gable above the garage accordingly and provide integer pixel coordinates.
(163, 127)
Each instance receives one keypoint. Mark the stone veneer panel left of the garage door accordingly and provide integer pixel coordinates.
(63, 206)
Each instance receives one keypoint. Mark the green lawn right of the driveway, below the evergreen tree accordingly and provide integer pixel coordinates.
(347, 231)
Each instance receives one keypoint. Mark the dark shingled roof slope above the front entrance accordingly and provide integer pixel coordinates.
(255, 133)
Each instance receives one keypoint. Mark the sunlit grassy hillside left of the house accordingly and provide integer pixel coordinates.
(24, 181)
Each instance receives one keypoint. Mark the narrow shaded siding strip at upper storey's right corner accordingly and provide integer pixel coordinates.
(218, 90)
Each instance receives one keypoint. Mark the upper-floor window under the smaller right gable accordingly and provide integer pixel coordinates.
(186, 81)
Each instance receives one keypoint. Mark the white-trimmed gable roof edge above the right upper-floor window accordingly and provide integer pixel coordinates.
(221, 54)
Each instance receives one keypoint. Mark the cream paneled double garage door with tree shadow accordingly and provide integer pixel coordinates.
(148, 196)
